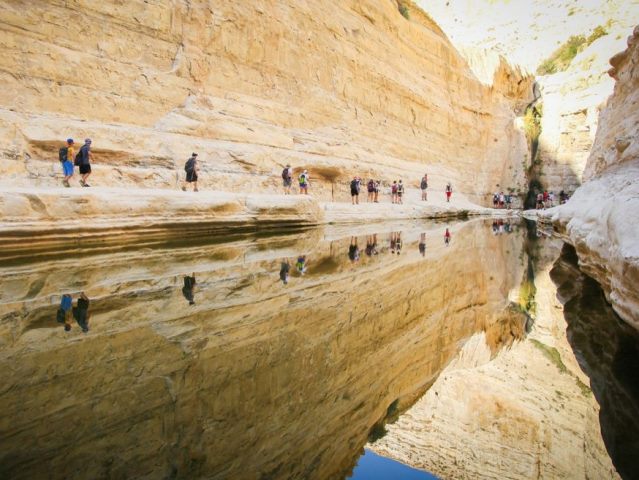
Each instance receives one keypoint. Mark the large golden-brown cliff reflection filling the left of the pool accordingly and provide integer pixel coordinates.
(257, 378)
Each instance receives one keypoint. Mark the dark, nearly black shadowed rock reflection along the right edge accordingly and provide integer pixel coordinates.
(608, 352)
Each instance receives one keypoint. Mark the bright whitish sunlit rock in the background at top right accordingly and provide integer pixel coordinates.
(527, 33)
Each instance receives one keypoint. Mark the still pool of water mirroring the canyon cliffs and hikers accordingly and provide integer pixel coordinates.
(285, 356)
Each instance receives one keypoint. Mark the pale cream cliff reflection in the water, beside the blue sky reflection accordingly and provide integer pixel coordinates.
(527, 412)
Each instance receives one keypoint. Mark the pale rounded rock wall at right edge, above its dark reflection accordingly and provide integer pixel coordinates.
(601, 218)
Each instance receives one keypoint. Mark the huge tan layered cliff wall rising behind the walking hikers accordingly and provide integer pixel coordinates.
(337, 87)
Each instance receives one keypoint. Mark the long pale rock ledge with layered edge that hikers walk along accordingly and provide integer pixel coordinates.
(44, 222)
